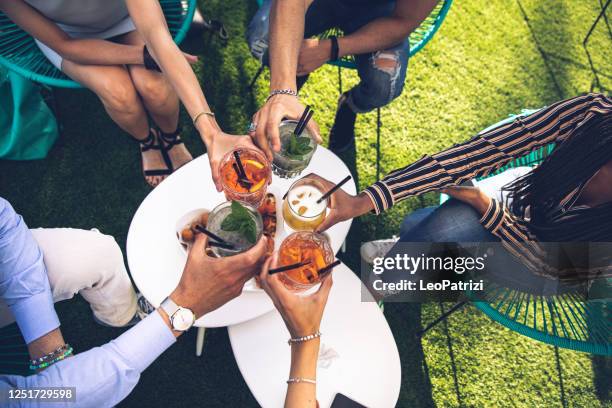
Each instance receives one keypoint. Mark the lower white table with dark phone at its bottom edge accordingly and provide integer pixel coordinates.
(358, 355)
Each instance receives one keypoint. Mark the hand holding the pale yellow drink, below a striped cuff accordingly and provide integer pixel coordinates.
(342, 206)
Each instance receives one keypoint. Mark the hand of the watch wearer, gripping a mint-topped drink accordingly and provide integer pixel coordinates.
(208, 283)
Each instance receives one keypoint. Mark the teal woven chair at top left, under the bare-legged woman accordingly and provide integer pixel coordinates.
(19, 52)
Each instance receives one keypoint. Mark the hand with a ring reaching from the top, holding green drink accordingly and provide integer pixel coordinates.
(268, 118)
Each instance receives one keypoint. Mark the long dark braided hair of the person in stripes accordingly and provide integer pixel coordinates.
(571, 163)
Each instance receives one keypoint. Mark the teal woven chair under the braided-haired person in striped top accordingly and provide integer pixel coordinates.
(566, 320)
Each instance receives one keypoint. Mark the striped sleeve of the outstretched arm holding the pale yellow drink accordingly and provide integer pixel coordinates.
(485, 152)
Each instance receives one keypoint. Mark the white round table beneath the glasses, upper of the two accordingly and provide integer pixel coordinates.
(156, 259)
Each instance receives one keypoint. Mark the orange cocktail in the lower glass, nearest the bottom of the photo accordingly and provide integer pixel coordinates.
(302, 247)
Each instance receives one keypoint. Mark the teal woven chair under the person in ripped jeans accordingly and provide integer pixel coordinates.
(418, 39)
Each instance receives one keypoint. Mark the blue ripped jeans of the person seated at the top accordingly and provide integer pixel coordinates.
(381, 80)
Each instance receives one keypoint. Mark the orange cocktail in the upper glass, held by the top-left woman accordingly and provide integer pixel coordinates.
(245, 175)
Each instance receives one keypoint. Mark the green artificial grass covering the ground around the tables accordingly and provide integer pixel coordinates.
(490, 59)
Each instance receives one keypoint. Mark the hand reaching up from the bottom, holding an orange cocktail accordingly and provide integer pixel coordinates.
(302, 314)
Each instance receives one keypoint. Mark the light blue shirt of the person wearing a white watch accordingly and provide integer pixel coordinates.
(102, 376)
